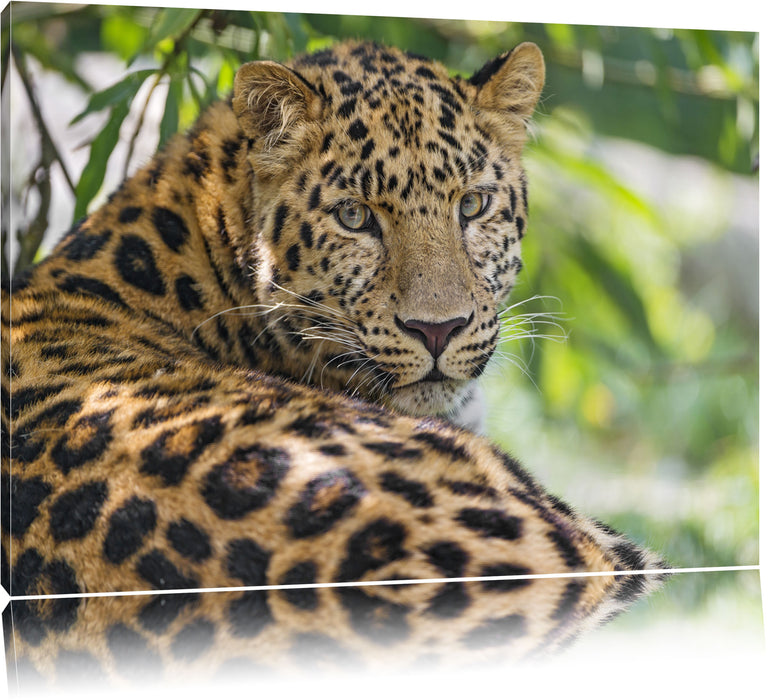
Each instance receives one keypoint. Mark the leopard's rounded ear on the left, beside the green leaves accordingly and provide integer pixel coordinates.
(271, 101)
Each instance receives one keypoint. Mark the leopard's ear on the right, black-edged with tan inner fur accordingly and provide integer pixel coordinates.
(512, 82)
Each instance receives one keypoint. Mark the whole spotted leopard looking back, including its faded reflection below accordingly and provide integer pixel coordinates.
(237, 428)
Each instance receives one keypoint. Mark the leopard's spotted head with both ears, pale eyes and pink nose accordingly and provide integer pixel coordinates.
(389, 204)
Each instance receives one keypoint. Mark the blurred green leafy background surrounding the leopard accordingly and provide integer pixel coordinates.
(628, 382)
